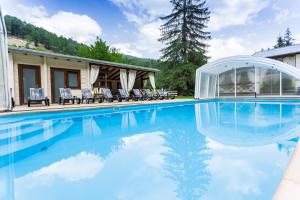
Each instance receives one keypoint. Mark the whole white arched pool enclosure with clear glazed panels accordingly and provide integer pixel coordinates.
(245, 76)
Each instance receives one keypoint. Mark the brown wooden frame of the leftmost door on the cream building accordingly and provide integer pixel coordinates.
(21, 81)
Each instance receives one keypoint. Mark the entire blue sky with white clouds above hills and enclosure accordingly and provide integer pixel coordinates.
(238, 27)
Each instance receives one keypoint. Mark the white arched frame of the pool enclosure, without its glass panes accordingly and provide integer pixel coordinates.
(219, 66)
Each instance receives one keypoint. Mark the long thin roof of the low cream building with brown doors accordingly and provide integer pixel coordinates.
(77, 58)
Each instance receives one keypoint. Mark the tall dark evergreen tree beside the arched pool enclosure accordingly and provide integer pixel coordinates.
(185, 38)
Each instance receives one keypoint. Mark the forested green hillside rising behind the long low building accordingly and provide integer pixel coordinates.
(22, 34)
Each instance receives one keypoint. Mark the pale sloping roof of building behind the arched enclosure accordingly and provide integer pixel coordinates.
(277, 52)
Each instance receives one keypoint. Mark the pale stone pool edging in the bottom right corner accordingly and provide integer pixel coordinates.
(289, 186)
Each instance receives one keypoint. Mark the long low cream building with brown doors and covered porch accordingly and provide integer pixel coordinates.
(30, 68)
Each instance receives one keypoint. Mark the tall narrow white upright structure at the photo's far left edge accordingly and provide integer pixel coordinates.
(5, 94)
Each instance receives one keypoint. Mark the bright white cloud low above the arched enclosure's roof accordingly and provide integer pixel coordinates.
(232, 46)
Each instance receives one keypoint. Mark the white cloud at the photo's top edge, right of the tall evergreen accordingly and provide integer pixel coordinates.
(234, 12)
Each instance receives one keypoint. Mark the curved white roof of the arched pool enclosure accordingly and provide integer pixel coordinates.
(225, 64)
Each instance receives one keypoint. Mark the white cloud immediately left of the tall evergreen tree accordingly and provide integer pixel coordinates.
(144, 14)
